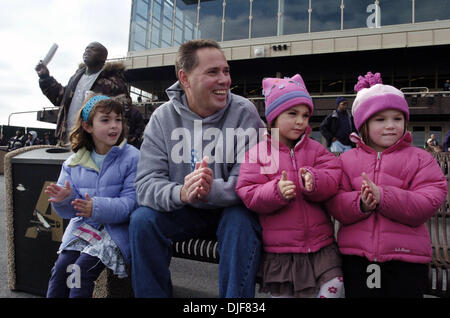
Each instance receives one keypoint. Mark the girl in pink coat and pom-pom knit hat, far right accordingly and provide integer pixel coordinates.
(388, 190)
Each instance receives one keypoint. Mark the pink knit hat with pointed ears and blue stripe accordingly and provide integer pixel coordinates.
(284, 93)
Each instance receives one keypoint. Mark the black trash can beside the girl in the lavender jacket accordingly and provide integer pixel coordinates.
(37, 228)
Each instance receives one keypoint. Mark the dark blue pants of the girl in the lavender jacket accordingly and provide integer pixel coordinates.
(90, 268)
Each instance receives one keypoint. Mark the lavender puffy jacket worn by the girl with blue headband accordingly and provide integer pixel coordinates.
(111, 189)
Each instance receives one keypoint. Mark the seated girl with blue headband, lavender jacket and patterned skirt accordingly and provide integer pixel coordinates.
(95, 191)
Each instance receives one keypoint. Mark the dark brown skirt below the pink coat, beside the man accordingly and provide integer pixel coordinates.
(298, 274)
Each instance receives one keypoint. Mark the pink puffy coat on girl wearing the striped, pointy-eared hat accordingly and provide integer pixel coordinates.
(299, 225)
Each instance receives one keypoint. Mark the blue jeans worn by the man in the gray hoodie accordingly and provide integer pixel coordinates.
(152, 232)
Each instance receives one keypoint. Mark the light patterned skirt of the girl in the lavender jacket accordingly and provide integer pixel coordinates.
(106, 250)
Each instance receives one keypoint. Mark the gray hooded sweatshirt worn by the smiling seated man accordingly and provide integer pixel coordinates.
(176, 138)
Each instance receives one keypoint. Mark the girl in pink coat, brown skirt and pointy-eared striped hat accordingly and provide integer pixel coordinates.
(284, 179)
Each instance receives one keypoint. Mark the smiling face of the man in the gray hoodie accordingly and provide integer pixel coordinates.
(207, 85)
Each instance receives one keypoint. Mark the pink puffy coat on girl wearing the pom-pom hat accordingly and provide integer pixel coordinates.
(412, 188)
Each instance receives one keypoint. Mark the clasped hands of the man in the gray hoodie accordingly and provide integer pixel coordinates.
(198, 183)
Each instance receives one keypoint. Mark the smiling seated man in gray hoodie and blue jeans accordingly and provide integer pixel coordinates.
(187, 173)
